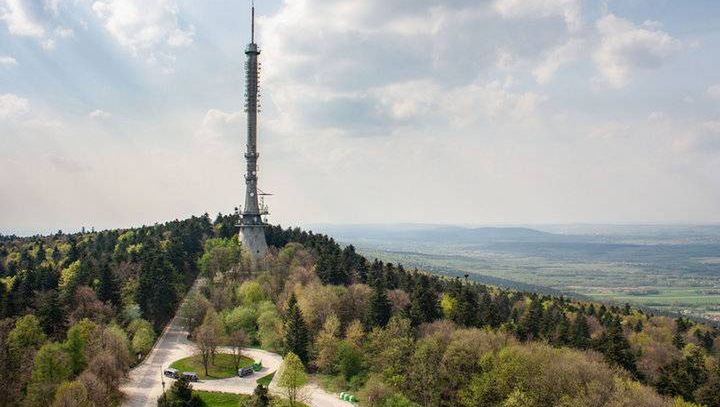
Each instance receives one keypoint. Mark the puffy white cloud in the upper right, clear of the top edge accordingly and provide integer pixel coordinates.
(625, 48)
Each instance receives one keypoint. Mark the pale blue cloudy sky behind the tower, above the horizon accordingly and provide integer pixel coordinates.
(124, 112)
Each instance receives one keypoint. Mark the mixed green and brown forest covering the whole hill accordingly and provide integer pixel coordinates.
(79, 309)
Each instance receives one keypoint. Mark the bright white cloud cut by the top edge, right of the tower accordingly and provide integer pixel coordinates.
(569, 10)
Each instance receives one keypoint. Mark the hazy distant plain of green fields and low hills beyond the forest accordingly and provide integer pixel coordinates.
(666, 269)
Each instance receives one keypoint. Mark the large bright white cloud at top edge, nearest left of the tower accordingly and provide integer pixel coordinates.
(148, 29)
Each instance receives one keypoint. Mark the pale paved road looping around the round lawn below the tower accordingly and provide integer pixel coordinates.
(145, 382)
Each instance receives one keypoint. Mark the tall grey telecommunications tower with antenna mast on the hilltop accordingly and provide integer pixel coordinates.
(252, 226)
